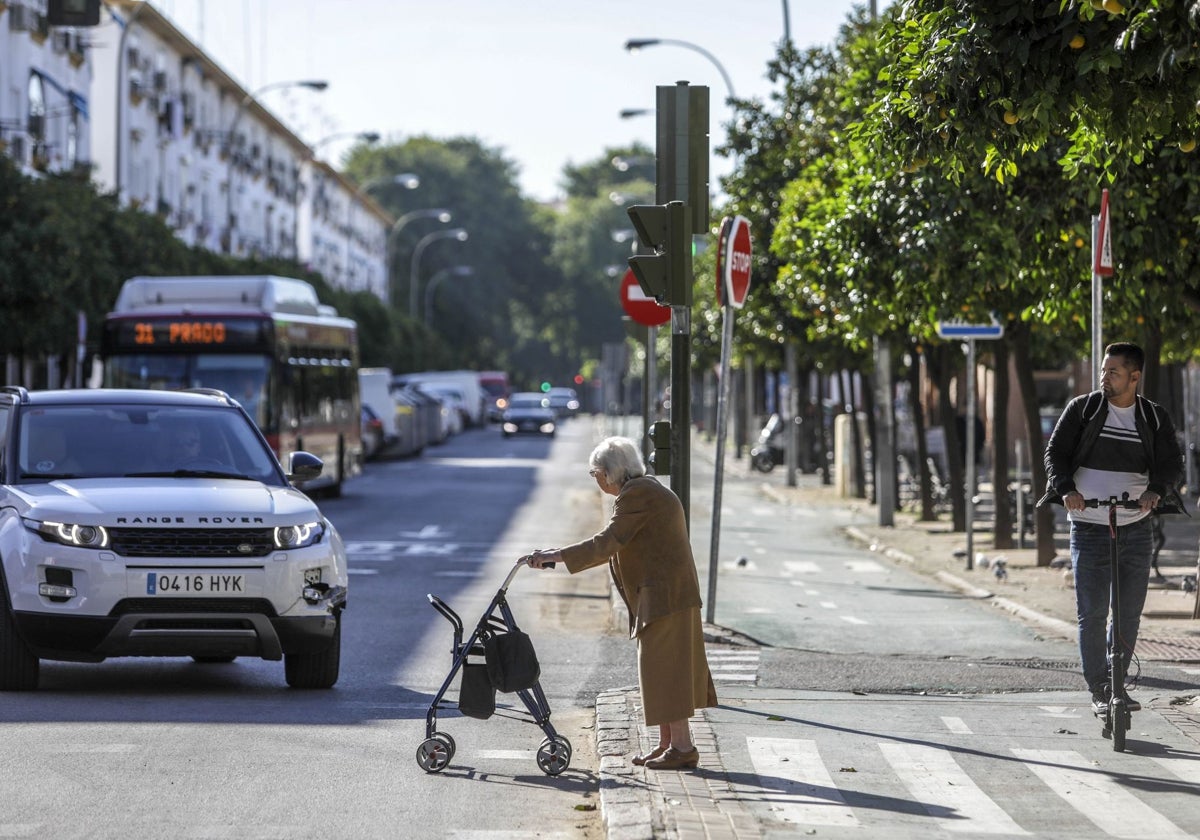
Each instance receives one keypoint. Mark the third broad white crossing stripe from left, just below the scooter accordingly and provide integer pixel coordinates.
(1099, 796)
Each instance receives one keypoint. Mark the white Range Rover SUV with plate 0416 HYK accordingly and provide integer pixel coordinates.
(159, 524)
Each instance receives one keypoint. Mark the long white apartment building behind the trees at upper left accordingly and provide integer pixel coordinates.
(166, 129)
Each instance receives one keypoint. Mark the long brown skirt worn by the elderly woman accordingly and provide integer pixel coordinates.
(673, 669)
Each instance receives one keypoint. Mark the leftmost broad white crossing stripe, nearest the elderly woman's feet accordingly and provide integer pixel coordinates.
(817, 801)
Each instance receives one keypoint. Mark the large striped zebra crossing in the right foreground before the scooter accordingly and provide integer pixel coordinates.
(915, 788)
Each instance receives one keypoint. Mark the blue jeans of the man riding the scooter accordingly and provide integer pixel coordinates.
(1090, 547)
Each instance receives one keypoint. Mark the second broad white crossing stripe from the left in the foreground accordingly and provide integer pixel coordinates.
(946, 791)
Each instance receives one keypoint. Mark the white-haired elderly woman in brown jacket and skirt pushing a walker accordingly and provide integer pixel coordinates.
(649, 553)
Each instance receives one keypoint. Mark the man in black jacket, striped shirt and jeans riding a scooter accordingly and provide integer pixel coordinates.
(1108, 443)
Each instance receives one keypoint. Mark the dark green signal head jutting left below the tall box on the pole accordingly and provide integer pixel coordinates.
(665, 274)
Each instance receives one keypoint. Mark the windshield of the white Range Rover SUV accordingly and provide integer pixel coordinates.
(110, 441)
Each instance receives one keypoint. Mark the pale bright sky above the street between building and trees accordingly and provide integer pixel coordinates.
(542, 82)
